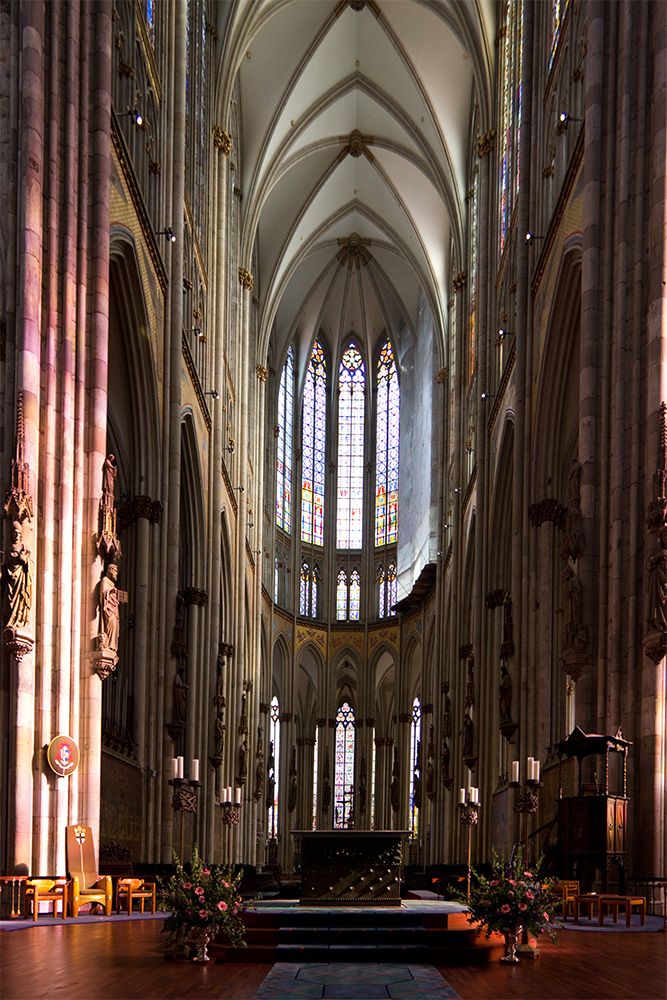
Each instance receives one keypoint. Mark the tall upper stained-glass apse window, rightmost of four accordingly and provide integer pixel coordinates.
(386, 463)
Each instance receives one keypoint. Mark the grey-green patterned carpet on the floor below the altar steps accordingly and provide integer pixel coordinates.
(338, 981)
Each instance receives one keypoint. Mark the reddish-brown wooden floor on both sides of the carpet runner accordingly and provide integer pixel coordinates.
(114, 961)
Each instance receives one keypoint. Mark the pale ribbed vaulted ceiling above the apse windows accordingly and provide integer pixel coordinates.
(357, 125)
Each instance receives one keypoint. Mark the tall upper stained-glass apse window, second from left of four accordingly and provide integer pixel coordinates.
(313, 448)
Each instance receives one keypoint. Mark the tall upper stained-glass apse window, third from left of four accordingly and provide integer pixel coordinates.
(351, 387)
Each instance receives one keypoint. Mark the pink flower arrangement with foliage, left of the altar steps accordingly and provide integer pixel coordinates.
(205, 897)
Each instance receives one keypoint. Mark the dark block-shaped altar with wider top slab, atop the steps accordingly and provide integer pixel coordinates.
(351, 867)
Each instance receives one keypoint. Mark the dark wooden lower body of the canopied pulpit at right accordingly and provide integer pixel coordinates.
(592, 840)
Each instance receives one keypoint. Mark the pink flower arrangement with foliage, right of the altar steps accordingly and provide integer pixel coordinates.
(515, 896)
